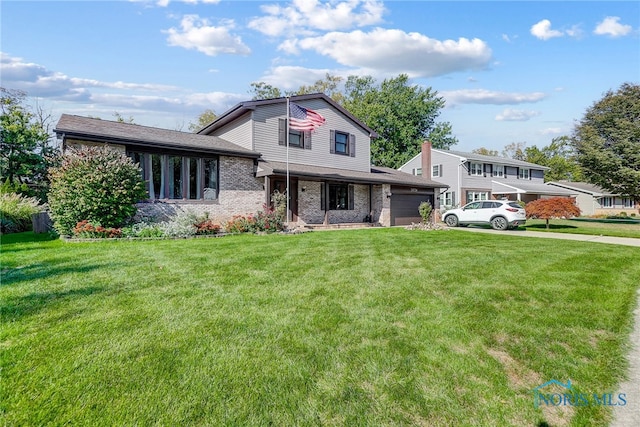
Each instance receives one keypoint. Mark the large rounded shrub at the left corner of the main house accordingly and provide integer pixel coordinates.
(97, 184)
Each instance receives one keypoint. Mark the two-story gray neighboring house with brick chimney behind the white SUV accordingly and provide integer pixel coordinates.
(471, 177)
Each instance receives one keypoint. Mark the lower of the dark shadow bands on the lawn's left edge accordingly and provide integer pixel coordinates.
(15, 308)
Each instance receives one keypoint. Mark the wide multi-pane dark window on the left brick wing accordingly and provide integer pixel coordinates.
(178, 177)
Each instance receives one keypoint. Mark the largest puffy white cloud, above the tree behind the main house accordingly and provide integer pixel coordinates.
(388, 51)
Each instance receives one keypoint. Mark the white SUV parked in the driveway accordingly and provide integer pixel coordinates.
(500, 214)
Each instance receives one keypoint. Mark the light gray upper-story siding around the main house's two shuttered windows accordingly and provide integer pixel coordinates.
(265, 126)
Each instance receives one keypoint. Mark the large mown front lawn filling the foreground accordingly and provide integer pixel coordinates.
(360, 327)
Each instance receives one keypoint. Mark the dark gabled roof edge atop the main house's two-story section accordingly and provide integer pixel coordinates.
(242, 108)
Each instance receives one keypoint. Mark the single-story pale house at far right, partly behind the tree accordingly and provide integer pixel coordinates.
(594, 200)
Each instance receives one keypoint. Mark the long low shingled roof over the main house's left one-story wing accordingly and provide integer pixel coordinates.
(110, 132)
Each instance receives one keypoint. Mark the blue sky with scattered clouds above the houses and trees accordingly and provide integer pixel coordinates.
(510, 71)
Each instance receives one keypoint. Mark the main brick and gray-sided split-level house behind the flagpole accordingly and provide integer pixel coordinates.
(233, 165)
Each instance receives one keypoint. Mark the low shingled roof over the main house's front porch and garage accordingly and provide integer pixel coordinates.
(378, 175)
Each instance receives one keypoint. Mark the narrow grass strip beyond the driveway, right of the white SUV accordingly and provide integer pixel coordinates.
(585, 227)
